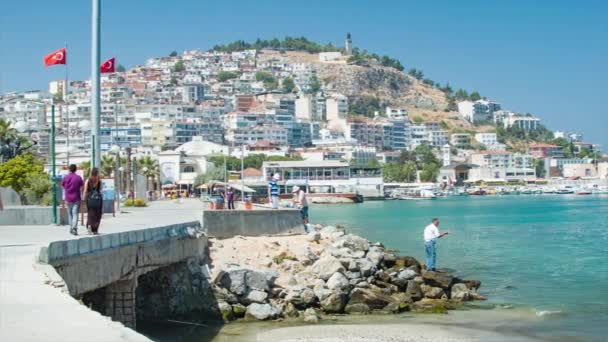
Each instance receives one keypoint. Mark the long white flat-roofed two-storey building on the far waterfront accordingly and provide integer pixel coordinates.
(327, 176)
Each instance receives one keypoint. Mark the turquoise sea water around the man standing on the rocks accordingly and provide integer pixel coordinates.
(547, 254)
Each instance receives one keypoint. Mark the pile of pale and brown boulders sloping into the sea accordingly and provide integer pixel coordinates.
(334, 272)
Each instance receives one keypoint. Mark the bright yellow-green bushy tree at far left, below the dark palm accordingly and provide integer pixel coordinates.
(15, 172)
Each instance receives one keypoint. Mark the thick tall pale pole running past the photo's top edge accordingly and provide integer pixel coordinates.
(95, 95)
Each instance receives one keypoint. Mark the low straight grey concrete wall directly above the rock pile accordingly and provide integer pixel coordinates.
(229, 223)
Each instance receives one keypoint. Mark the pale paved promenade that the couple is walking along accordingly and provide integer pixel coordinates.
(33, 310)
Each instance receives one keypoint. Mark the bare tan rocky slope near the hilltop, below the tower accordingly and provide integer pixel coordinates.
(390, 86)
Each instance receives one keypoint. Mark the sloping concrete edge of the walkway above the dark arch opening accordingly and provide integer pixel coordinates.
(58, 250)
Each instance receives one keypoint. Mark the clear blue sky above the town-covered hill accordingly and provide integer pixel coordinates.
(546, 57)
